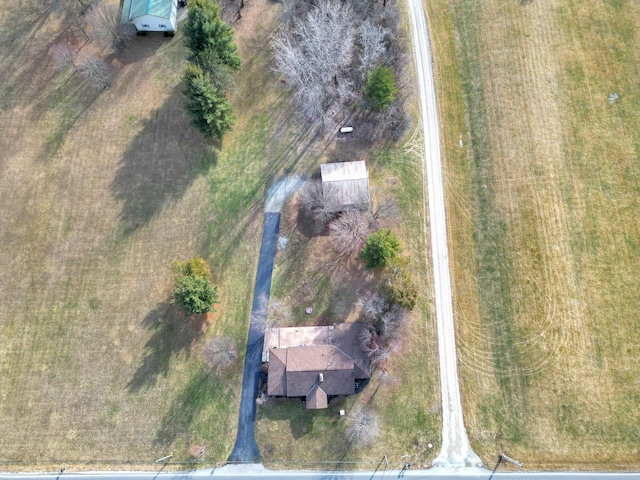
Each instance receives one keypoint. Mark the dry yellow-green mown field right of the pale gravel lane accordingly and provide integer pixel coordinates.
(543, 185)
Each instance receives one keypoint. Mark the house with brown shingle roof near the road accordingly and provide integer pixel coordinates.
(316, 362)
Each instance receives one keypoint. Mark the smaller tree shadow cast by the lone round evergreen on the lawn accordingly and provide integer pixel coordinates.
(172, 335)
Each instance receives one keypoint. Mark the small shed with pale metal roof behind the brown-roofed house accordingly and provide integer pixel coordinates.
(345, 185)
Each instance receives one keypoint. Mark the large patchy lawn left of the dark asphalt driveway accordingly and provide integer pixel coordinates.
(101, 191)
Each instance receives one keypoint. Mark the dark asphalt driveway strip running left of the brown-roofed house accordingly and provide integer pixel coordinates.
(246, 449)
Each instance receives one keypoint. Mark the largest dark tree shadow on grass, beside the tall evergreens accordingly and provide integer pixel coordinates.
(160, 164)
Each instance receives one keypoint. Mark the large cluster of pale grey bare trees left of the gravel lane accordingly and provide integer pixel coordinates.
(325, 52)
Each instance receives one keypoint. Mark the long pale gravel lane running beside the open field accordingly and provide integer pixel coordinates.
(455, 451)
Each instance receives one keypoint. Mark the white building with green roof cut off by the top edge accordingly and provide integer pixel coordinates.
(151, 15)
